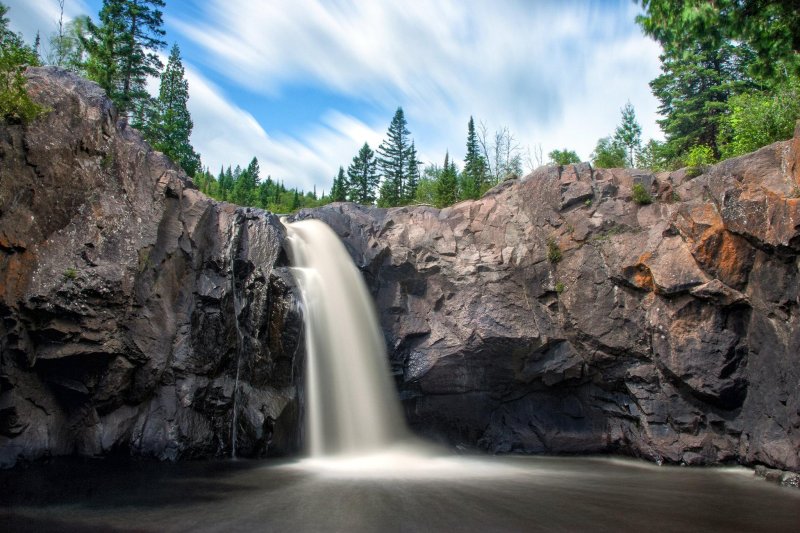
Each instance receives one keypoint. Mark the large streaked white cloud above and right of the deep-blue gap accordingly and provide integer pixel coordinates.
(554, 73)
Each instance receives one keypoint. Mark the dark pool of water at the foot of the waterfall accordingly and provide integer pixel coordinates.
(394, 492)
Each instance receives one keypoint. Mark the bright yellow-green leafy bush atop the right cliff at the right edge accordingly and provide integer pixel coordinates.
(760, 118)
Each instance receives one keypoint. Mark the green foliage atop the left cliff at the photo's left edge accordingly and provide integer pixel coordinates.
(15, 57)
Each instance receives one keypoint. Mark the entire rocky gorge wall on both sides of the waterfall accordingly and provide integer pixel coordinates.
(667, 331)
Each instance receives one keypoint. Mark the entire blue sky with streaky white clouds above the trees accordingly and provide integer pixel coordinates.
(302, 84)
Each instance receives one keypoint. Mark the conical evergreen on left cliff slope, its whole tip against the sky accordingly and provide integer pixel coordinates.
(170, 125)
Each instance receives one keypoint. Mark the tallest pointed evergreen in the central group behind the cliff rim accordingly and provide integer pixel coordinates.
(393, 156)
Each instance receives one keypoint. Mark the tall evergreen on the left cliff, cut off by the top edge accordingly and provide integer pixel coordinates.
(122, 49)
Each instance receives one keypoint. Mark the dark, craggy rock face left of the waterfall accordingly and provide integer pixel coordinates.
(120, 288)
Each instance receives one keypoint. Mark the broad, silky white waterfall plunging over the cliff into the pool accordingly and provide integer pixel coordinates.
(352, 407)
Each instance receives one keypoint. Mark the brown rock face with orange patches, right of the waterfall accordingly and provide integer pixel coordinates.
(669, 331)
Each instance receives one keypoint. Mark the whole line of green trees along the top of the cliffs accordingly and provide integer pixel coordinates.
(730, 83)
